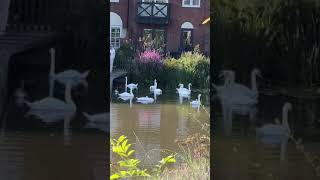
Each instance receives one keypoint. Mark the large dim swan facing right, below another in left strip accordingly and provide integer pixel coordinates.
(52, 109)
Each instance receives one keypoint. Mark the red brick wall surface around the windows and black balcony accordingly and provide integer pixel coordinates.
(178, 15)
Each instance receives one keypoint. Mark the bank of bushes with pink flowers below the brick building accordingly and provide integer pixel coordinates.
(148, 64)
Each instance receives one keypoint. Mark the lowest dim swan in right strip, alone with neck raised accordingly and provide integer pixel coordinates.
(278, 130)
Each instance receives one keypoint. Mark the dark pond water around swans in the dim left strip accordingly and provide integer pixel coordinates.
(64, 149)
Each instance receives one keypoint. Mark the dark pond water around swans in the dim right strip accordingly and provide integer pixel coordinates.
(240, 154)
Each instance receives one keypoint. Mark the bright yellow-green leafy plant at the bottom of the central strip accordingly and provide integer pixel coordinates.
(129, 167)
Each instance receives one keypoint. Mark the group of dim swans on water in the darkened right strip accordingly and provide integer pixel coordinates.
(240, 96)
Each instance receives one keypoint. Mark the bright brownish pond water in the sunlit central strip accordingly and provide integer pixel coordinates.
(155, 127)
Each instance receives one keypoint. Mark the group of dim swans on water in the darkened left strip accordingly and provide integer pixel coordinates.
(51, 109)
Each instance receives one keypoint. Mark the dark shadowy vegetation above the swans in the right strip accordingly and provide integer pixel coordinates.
(279, 37)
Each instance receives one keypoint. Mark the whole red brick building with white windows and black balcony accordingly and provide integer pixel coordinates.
(175, 23)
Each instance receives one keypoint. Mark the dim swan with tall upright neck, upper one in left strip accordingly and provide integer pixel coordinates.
(74, 76)
